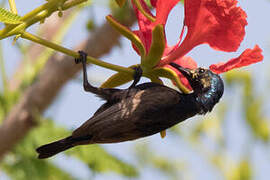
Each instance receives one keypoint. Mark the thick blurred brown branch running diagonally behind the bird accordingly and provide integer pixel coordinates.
(58, 71)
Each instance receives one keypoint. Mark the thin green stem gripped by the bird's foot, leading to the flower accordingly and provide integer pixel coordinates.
(69, 52)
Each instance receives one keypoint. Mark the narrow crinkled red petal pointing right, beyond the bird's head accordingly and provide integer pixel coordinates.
(249, 56)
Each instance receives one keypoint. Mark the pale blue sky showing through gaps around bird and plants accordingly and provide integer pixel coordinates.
(82, 105)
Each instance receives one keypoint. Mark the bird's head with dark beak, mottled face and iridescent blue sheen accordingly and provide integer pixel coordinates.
(201, 79)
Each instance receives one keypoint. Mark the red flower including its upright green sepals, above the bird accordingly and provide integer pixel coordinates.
(218, 23)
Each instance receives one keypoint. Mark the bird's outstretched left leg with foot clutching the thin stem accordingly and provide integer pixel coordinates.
(107, 94)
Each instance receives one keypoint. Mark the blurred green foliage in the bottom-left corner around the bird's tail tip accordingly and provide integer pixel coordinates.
(22, 162)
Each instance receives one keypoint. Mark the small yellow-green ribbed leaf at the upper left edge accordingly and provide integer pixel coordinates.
(8, 17)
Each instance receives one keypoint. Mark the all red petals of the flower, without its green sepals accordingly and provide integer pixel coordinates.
(218, 23)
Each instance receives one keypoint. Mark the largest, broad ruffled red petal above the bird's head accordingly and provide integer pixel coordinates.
(219, 23)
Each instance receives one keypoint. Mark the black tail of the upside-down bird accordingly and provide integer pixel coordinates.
(54, 148)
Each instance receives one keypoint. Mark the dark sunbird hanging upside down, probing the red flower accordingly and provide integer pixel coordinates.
(140, 110)
